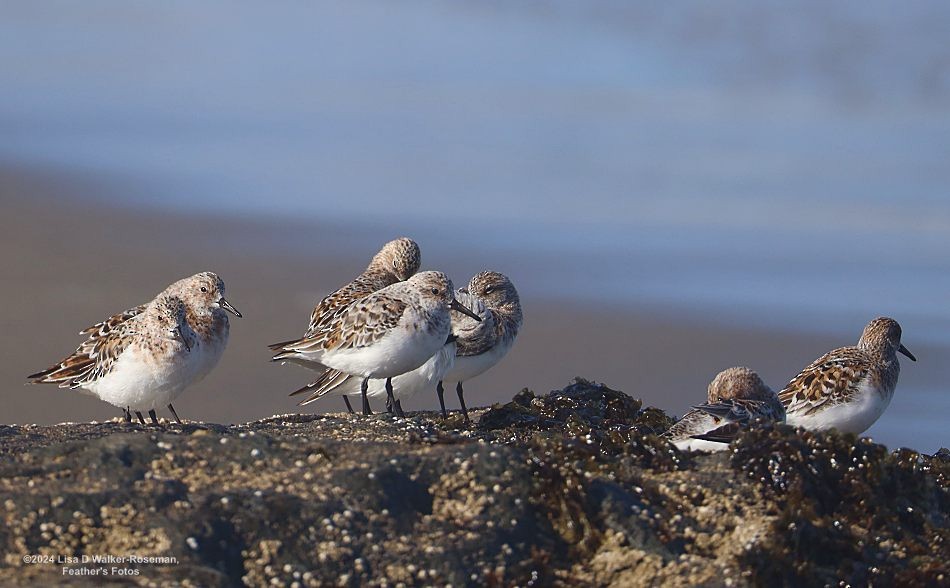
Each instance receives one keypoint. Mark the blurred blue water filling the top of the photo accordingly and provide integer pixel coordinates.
(771, 164)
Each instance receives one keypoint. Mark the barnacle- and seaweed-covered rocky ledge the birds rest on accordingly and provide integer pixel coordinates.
(572, 488)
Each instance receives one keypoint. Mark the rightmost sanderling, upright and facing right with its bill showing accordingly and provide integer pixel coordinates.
(850, 387)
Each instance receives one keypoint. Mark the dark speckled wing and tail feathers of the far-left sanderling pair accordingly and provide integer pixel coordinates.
(94, 358)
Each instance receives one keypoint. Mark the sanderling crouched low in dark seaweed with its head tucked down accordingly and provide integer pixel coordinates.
(735, 397)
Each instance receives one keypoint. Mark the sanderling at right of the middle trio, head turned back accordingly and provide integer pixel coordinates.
(481, 345)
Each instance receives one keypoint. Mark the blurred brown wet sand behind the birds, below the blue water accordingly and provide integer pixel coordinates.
(69, 262)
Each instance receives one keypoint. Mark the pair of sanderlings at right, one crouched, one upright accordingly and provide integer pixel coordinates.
(846, 389)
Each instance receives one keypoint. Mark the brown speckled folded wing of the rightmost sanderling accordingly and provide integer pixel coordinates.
(832, 378)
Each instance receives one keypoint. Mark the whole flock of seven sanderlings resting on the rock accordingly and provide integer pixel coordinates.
(394, 332)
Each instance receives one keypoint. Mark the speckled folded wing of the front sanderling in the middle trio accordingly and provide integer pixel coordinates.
(364, 322)
